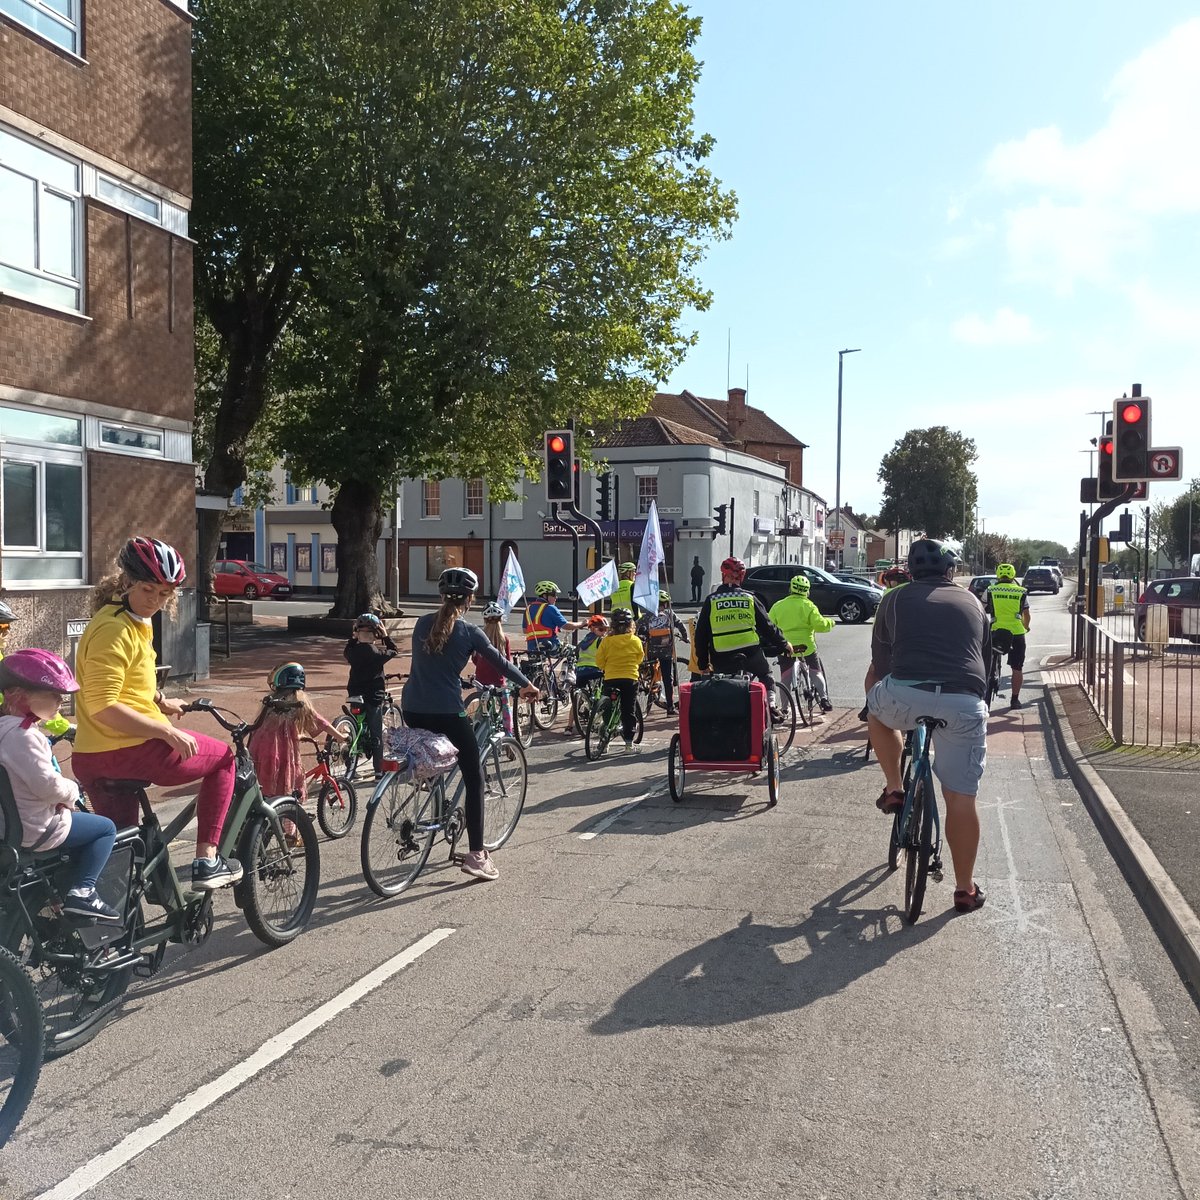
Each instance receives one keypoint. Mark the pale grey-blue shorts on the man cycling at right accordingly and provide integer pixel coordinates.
(961, 748)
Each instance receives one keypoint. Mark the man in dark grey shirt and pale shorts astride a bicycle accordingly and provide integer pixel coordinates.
(929, 650)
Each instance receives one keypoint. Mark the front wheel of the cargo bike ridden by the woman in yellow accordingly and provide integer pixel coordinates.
(279, 887)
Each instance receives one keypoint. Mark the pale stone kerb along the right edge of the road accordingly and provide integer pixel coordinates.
(1177, 922)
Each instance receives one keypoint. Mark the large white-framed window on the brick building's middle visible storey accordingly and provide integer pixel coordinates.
(40, 256)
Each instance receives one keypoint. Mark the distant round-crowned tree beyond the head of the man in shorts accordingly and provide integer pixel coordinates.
(928, 483)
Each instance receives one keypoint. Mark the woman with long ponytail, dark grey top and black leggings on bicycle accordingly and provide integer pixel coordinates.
(433, 699)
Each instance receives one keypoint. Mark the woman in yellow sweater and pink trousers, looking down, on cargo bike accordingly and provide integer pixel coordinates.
(125, 730)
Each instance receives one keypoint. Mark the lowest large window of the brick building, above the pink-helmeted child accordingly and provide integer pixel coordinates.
(43, 483)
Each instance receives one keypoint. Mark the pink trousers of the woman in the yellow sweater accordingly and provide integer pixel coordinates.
(213, 765)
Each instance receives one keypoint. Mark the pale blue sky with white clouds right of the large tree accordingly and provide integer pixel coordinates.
(997, 202)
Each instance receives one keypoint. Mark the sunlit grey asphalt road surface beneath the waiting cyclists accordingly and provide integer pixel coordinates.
(711, 999)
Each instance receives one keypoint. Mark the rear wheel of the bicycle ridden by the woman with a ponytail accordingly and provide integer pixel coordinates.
(398, 835)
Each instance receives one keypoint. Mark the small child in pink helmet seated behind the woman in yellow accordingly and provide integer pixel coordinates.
(34, 683)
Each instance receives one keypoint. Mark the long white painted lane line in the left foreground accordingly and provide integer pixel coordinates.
(125, 1151)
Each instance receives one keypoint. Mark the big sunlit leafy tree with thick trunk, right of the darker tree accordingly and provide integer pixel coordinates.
(523, 207)
